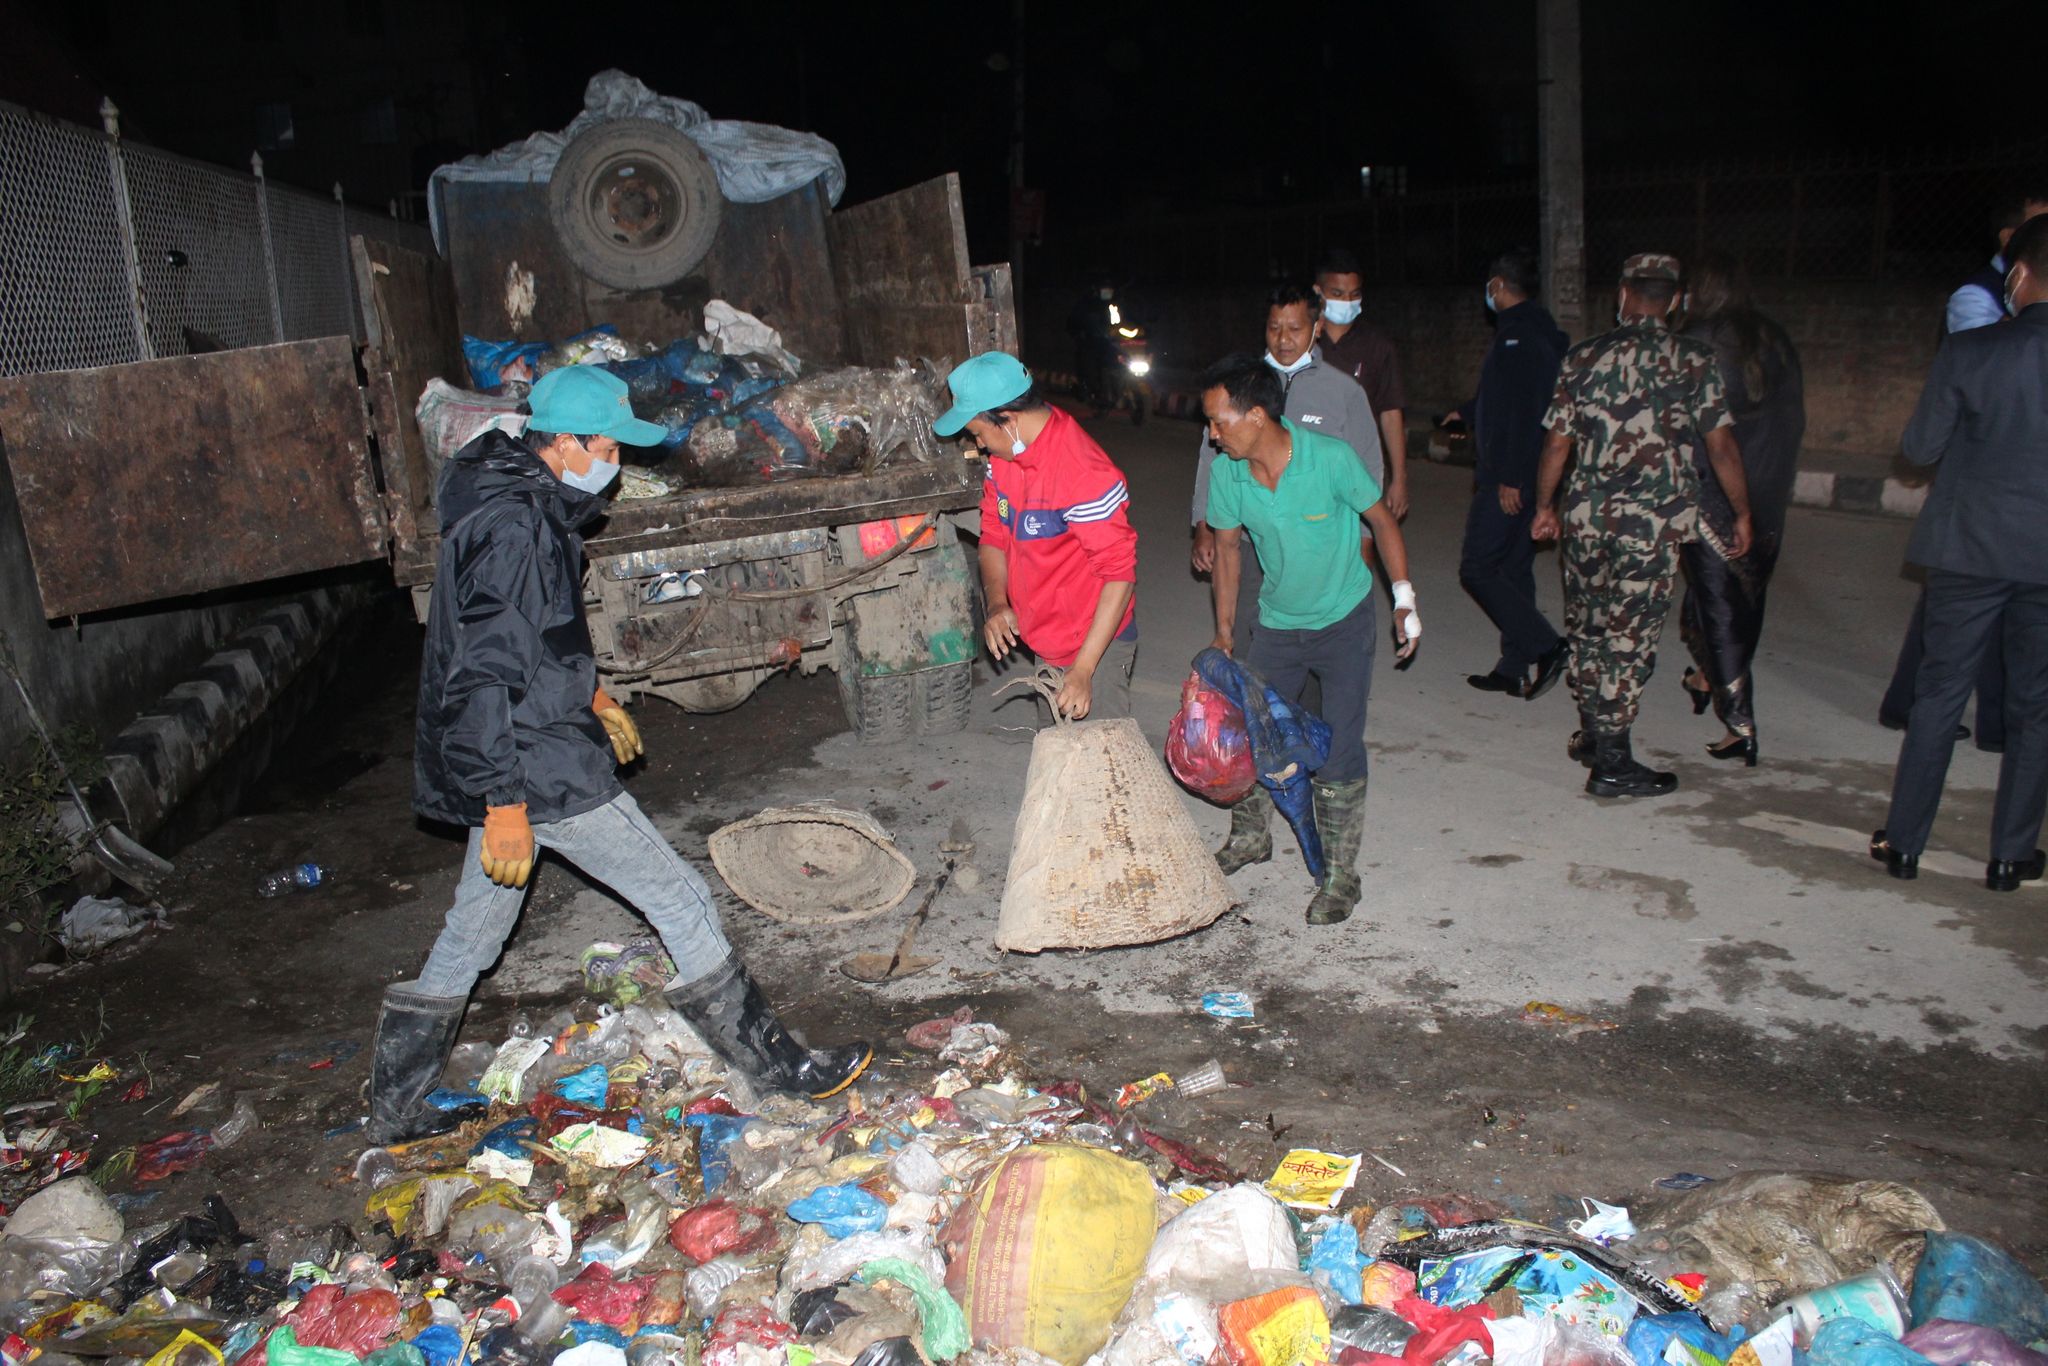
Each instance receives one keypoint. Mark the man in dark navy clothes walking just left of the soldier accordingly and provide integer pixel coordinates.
(1498, 562)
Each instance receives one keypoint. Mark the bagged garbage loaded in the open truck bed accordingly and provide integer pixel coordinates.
(730, 398)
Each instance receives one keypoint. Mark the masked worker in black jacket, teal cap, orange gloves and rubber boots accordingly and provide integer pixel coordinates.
(519, 744)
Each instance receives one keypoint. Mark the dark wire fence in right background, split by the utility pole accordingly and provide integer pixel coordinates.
(1822, 222)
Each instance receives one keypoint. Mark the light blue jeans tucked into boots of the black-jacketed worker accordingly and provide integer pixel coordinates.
(615, 845)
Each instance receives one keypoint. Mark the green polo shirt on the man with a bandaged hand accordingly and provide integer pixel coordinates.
(1306, 529)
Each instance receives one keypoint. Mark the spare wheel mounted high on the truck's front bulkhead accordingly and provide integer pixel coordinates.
(636, 204)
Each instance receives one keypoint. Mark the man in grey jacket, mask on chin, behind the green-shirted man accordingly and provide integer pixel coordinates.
(1320, 398)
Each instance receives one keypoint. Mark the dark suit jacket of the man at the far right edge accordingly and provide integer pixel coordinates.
(1983, 421)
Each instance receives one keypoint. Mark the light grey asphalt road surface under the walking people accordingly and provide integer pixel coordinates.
(1490, 878)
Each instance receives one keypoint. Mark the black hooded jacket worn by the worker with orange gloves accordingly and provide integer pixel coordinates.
(509, 673)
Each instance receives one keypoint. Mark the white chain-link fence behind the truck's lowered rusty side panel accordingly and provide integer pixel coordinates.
(116, 253)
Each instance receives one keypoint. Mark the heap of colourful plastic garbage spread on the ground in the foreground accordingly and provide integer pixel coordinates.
(620, 1199)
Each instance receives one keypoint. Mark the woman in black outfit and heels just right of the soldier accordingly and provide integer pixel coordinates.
(1723, 611)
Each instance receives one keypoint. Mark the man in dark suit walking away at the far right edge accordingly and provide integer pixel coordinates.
(1983, 423)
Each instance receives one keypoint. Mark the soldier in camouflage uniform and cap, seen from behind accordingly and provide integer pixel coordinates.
(1635, 404)
